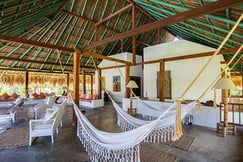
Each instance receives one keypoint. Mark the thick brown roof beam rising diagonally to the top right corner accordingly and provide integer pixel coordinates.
(183, 16)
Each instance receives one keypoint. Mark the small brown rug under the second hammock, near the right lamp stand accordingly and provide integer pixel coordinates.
(183, 143)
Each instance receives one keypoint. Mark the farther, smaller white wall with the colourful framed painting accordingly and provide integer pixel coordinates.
(109, 73)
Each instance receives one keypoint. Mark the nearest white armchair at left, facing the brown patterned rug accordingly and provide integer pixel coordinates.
(48, 125)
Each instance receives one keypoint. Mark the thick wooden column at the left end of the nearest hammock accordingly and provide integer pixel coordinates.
(76, 69)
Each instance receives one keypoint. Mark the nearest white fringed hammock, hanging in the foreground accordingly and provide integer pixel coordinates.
(103, 146)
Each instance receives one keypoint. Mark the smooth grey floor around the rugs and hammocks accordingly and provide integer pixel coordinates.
(207, 146)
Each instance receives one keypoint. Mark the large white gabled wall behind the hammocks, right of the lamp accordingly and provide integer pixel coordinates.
(182, 71)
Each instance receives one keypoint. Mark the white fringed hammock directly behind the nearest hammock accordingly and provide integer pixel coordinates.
(165, 129)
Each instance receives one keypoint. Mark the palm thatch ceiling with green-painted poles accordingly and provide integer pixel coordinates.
(71, 23)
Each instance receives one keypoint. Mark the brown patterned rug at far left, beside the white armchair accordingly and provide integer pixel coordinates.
(14, 137)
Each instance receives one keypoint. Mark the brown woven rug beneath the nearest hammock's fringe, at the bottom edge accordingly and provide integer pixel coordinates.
(148, 154)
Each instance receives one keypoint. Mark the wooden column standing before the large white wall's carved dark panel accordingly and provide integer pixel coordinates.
(162, 80)
